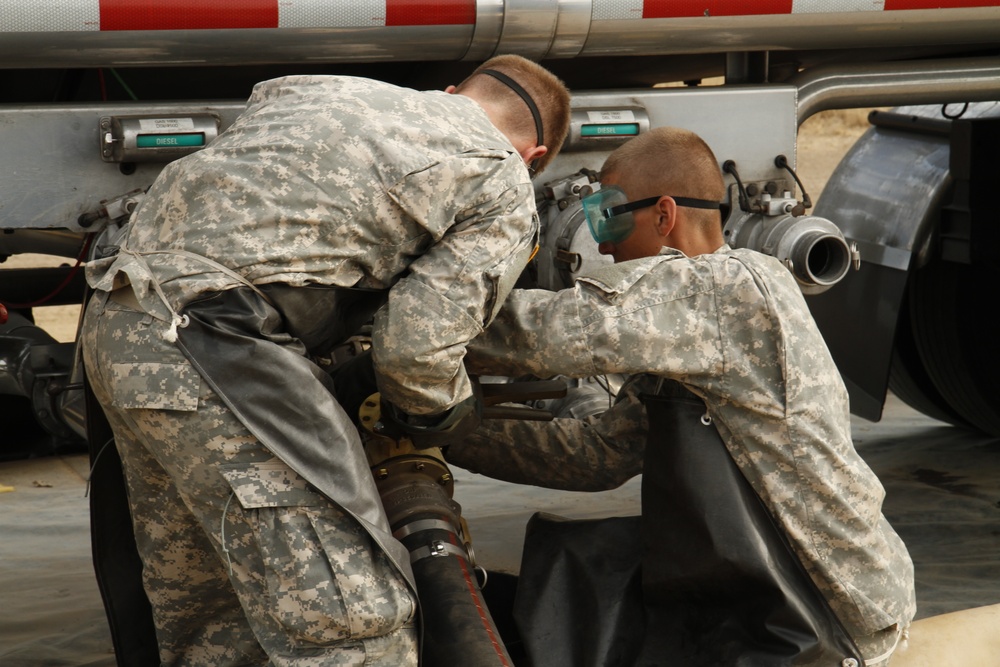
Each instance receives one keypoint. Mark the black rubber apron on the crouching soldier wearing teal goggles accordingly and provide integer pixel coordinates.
(703, 578)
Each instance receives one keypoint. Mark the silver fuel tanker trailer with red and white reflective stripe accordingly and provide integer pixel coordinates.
(98, 95)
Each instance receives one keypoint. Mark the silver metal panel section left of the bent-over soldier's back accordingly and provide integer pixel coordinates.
(51, 157)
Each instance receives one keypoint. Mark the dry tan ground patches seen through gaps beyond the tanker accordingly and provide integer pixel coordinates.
(823, 140)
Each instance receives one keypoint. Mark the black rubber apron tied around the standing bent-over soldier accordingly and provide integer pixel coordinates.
(250, 344)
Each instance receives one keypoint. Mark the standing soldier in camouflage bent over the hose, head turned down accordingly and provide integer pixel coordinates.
(262, 536)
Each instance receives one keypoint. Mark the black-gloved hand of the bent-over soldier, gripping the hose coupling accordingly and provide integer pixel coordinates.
(440, 430)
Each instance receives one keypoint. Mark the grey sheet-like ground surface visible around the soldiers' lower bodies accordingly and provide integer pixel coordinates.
(942, 498)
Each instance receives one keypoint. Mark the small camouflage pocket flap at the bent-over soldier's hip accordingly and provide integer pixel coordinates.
(155, 386)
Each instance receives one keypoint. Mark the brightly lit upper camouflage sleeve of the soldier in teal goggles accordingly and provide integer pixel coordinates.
(632, 318)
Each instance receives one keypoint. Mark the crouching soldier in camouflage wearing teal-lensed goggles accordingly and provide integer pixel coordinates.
(733, 328)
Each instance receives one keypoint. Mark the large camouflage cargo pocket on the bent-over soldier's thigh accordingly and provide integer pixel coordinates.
(327, 581)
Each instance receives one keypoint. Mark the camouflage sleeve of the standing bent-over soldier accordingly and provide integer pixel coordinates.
(454, 290)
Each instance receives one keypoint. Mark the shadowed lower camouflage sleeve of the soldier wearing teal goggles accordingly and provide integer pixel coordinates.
(593, 454)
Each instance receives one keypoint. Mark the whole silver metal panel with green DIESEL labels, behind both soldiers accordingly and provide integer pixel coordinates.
(61, 162)
